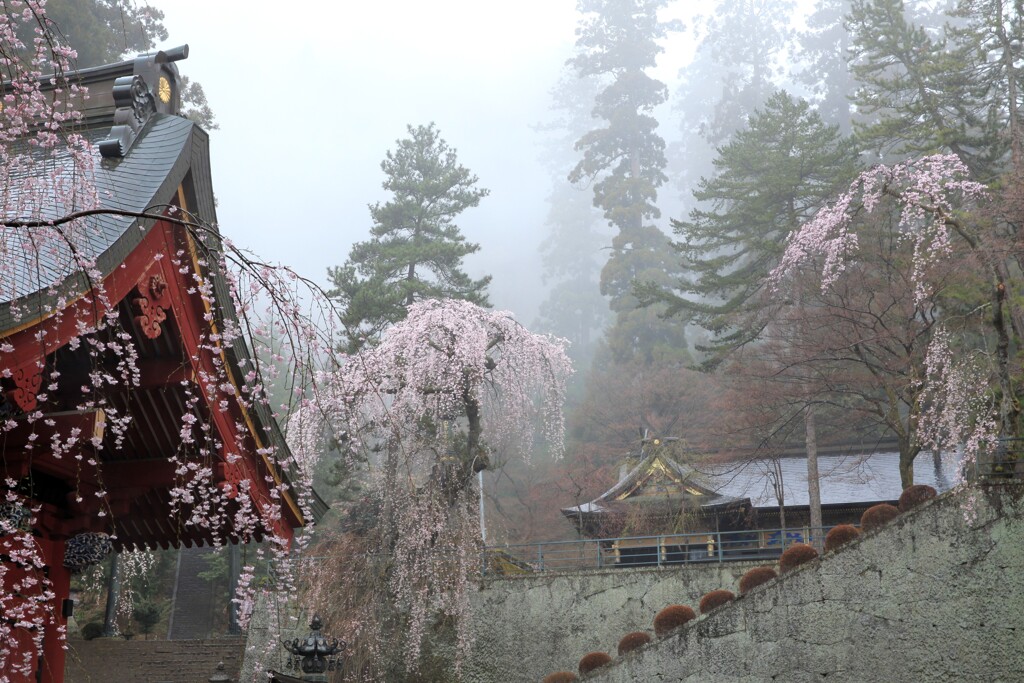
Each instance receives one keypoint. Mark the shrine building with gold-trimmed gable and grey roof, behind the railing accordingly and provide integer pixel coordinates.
(670, 507)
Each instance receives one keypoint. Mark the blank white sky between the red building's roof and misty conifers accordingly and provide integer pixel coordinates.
(310, 100)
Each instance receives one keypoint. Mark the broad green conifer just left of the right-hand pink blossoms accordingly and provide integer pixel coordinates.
(770, 180)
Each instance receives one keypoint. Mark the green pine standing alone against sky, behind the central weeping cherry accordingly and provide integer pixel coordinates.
(416, 249)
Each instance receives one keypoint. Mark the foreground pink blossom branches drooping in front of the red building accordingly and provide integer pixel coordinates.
(49, 203)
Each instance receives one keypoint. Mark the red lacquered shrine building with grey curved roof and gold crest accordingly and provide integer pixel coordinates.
(94, 463)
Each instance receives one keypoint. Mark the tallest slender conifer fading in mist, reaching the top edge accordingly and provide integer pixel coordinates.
(625, 158)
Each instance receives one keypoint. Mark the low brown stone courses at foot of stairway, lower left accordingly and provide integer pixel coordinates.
(117, 661)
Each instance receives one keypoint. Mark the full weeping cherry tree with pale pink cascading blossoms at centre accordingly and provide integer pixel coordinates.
(445, 390)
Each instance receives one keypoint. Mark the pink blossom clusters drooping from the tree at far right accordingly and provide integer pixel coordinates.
(931, 193)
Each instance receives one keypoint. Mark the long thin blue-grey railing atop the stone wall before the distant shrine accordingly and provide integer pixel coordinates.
(646, 551)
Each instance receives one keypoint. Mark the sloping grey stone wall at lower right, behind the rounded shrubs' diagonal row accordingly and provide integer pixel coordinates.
(937, 595)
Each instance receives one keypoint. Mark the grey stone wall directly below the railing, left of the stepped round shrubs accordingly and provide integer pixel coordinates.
(527, 627)
